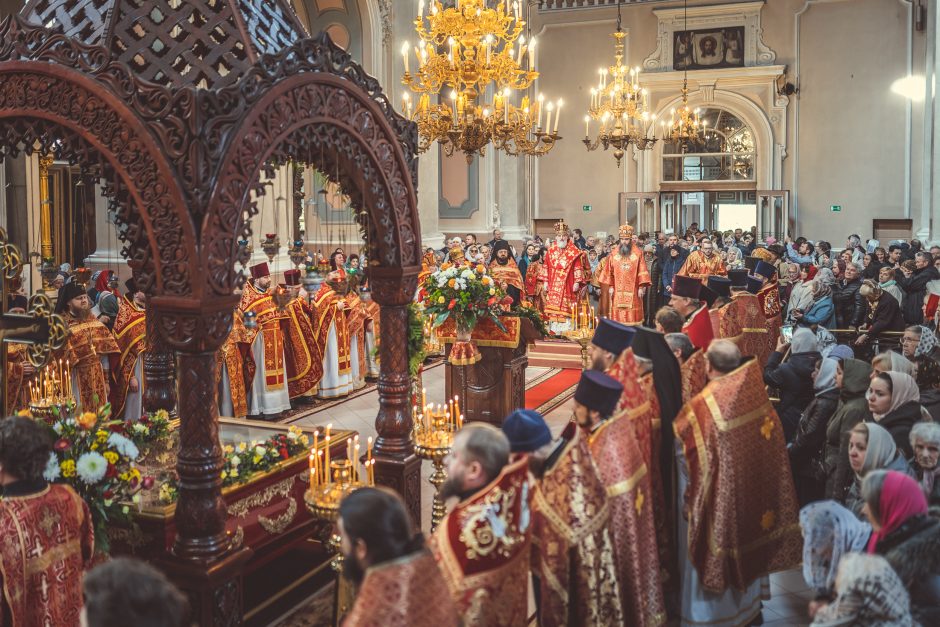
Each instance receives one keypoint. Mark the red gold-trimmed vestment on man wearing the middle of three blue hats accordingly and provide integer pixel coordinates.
(625, 475)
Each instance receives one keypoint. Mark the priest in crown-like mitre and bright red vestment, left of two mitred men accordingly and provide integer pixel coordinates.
(564, 273)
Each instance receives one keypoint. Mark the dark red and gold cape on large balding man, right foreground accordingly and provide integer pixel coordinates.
(741, 505)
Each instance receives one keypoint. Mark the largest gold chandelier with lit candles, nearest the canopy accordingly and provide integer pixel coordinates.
(464, 50)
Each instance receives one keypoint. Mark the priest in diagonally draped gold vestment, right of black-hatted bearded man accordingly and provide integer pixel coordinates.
(130, 333)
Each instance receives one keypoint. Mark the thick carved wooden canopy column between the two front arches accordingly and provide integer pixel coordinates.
(207, 567)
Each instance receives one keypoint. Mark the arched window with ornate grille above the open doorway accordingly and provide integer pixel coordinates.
(727, 152)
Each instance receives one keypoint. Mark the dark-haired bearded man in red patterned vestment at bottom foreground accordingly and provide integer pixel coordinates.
(398, 580)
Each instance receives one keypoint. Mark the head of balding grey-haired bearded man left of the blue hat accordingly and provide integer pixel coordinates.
(477, 457)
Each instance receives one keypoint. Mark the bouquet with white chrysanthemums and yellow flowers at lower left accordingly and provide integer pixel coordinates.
(97, 458)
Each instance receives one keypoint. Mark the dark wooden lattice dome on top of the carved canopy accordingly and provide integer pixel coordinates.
(203, 43)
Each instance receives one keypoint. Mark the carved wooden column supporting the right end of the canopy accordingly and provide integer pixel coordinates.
(396, 464)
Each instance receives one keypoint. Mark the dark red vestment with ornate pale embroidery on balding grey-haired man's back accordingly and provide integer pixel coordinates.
(482, 548)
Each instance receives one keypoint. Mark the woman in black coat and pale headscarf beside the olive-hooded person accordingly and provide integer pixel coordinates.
(806, 451)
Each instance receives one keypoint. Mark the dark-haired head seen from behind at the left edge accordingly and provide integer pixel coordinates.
(24, 450)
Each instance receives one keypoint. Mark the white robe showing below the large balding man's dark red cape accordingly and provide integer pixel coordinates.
(732, 607)
